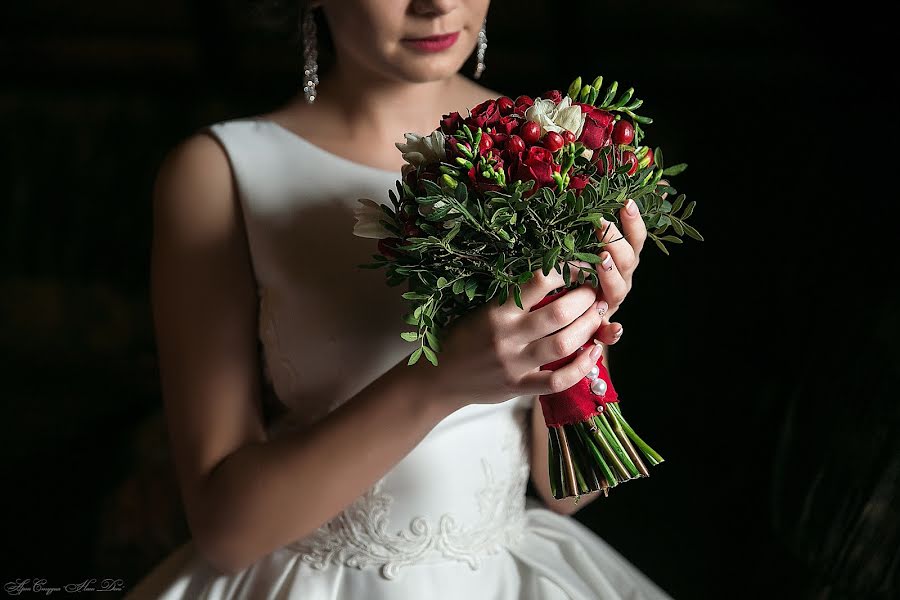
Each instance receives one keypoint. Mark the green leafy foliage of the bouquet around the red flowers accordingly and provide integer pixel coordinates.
(480, 246)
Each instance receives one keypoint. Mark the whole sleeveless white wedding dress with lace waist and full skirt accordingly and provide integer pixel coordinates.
(450, 521)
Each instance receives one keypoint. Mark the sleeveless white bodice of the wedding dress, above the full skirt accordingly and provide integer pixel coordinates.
(328, 328)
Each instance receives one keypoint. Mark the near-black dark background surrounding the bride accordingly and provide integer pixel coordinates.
(761, 363)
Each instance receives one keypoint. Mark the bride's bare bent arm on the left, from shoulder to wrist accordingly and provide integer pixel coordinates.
(245, 495)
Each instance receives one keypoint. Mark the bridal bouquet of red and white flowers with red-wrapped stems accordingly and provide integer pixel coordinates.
(484, 200)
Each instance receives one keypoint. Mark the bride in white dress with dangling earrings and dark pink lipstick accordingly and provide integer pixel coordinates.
(377, 480)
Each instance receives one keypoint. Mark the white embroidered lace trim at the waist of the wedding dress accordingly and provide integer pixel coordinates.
(358, 537)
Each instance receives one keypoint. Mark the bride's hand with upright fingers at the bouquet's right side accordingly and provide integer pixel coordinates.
(618, 262)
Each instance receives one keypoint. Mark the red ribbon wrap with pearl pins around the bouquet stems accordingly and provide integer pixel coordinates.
(578, 403)
